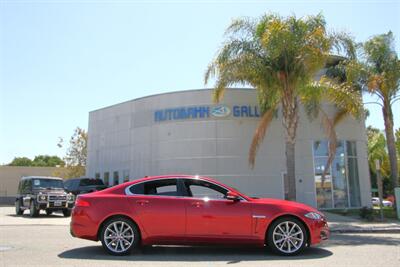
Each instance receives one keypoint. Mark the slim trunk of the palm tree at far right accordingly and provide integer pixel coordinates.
(388, 118)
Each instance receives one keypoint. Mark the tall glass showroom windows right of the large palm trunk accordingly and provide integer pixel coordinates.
(339, 187)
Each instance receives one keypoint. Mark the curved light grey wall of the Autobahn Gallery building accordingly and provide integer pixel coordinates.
(126, 137)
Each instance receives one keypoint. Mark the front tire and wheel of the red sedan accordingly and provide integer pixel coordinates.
(287, 236)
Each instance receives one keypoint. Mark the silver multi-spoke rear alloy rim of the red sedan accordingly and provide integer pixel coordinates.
(119, 236)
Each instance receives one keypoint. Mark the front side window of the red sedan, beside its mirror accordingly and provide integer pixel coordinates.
(204, 189)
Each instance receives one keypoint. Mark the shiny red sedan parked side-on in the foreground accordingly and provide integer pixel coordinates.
(192, 210)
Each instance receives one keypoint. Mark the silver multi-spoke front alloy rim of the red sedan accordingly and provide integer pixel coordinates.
(288, 237)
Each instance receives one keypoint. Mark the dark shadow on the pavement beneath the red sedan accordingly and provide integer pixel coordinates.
(180, 253)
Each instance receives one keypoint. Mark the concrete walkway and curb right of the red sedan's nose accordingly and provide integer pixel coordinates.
(349, 224)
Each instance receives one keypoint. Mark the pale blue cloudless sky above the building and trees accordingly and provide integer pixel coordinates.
(61, 59)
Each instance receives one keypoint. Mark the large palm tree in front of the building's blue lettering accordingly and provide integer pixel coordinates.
(280, 58)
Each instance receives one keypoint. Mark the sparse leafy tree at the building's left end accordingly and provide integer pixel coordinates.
(76, 154)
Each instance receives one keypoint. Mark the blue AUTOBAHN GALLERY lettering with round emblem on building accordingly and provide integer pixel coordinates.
(206, 111)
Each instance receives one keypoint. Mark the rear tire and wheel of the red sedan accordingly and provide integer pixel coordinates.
(119, 236)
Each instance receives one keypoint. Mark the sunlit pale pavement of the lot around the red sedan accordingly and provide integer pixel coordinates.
(45, 241)
